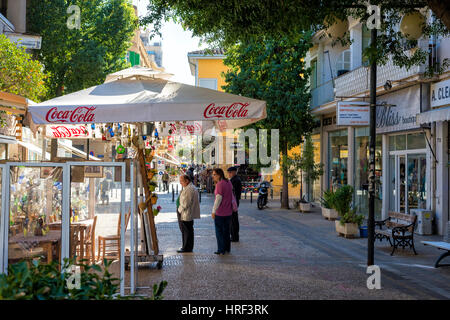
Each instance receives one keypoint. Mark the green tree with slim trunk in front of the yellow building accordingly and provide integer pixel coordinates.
(274, 71)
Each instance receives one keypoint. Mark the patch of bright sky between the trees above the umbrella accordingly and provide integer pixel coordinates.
(176, 43)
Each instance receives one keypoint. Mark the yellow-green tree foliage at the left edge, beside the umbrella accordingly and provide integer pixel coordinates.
(19, 74)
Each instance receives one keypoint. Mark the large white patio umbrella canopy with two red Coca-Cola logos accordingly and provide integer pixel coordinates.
(147, 100)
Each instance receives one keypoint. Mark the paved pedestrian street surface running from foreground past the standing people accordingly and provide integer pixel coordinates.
(285, 255)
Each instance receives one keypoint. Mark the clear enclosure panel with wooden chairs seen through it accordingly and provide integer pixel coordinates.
(95, 211)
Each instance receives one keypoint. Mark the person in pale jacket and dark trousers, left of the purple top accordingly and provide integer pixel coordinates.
(187, 211)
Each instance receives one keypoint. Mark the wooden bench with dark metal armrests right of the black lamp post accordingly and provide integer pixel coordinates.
(399, 227)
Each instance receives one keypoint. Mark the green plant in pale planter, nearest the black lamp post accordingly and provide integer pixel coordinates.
(349, 221)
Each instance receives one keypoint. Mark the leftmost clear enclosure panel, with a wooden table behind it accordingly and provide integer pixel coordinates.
(35, 203)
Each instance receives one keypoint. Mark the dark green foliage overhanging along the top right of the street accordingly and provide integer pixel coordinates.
(228, 22)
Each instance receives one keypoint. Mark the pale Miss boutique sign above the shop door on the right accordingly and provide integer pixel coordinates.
(403, 112)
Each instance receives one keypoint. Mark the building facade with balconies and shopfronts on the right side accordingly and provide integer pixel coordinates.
(412, 150)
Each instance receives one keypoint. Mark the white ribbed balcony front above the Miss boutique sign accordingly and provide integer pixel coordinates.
(357, 81)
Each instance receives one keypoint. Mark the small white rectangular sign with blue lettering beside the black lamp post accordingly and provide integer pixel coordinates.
(353, 113)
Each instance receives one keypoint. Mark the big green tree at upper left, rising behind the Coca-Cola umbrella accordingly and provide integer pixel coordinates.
(75, 59)
